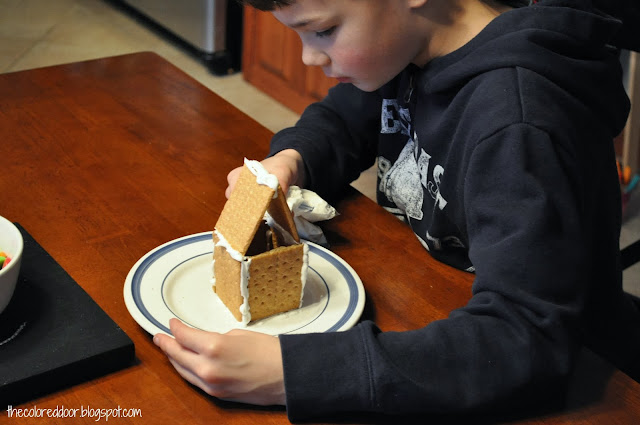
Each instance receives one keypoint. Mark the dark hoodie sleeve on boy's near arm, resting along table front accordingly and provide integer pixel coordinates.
(513, 344)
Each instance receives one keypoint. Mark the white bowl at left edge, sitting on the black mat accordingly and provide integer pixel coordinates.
(10, 242)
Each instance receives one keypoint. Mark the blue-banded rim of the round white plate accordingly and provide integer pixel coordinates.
(135, 300)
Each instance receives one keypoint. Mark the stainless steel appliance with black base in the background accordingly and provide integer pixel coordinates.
(211, 28)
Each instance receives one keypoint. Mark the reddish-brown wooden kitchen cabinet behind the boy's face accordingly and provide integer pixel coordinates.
(272, 62)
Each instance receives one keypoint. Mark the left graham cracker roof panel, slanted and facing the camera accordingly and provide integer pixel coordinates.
(244, 210)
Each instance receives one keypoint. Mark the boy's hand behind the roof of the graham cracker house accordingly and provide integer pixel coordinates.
(286, 165)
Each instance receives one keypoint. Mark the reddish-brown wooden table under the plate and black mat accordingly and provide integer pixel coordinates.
(102, 161)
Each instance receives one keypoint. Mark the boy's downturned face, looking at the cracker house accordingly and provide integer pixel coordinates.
(363, 42)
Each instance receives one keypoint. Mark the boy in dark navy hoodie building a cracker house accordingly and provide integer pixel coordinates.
(492, 125)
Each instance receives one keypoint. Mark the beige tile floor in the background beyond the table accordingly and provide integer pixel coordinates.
(36, 33)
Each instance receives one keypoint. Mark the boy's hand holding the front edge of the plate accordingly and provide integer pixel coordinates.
(240, 365)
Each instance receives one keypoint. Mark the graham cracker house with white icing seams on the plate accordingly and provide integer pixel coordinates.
(260, 265)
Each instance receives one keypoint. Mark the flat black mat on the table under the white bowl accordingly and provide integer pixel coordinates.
(52, 334)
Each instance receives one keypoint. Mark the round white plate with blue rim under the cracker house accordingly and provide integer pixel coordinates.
(173, 280)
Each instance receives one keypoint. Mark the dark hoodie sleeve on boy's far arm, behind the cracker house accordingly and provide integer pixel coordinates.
(337, 138)
